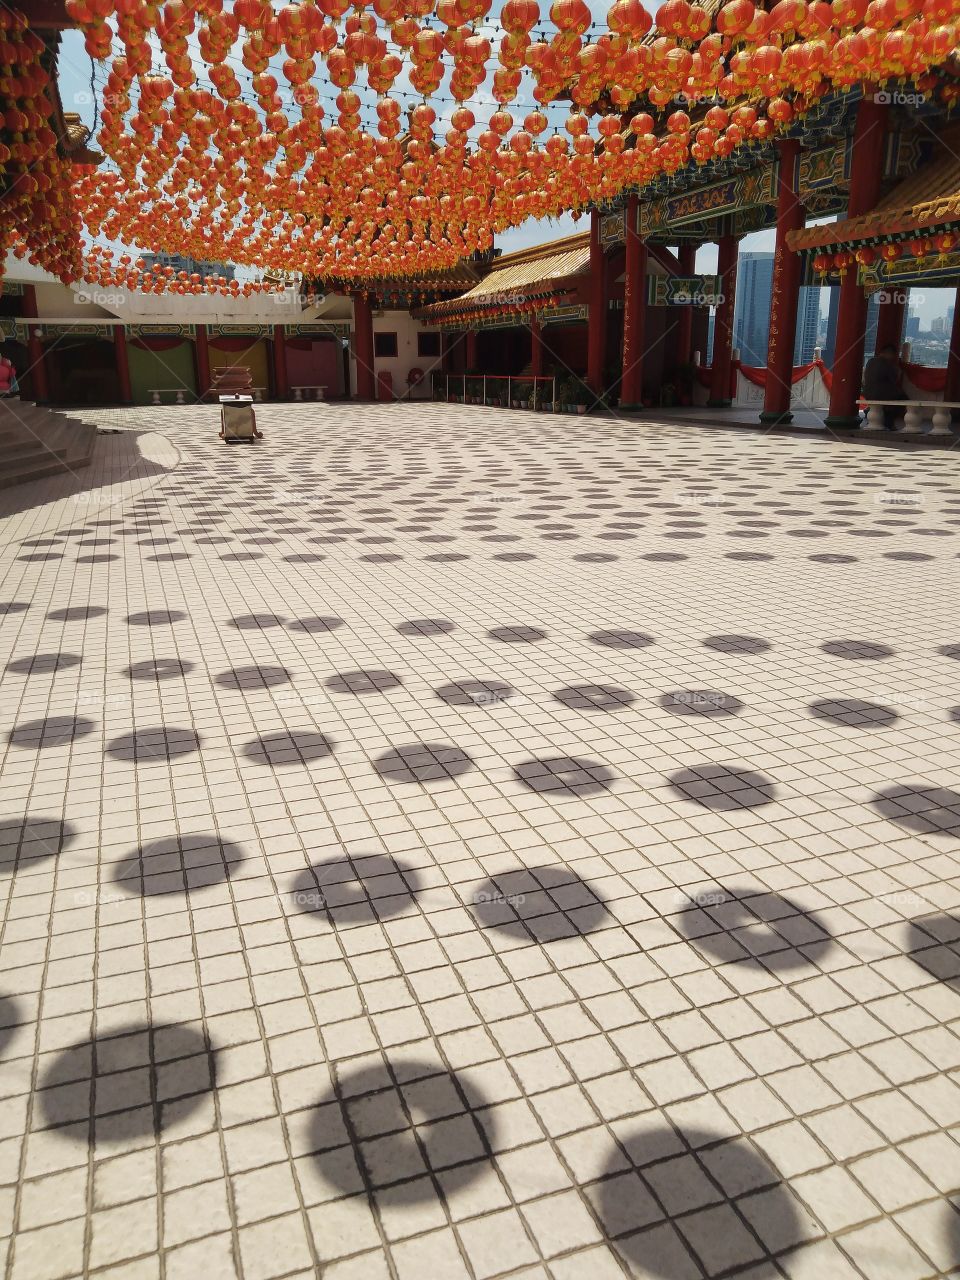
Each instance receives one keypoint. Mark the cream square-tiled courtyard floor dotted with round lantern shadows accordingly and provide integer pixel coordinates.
(446, 843)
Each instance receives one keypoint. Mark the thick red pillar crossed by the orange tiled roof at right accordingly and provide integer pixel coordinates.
(866, 176)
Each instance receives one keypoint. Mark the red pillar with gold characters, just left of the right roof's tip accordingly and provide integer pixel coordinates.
(785, 299)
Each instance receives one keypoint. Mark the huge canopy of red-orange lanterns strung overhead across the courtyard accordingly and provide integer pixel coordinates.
(237, 132)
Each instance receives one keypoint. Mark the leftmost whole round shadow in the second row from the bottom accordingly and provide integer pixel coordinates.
(176, 866)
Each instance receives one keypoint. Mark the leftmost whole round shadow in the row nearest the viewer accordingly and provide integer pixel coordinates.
(127, 1085)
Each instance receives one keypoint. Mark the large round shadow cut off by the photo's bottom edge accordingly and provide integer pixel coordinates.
(688, 1169)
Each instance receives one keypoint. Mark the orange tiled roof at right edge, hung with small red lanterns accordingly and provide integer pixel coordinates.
(925, 202)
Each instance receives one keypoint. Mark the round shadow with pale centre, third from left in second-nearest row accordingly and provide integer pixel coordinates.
(359, 889)
